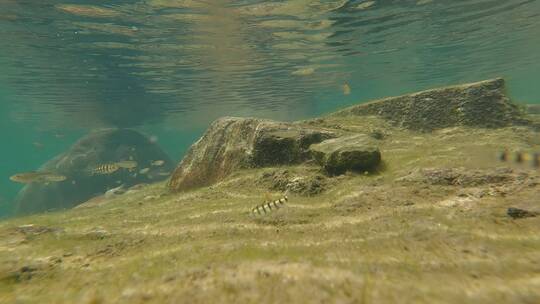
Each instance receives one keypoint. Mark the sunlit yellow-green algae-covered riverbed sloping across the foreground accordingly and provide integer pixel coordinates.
(429, 226)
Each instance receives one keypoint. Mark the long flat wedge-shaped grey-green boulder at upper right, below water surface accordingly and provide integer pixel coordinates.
(480, 104)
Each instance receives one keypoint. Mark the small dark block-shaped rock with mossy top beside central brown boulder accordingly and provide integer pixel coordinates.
(348, 153)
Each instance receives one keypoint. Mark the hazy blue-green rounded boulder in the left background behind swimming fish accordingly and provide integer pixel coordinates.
(91, 151)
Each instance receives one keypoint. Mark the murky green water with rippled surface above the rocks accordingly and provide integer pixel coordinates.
(168, 68)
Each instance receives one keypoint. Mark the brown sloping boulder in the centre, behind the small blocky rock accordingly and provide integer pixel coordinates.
(233, 143)
